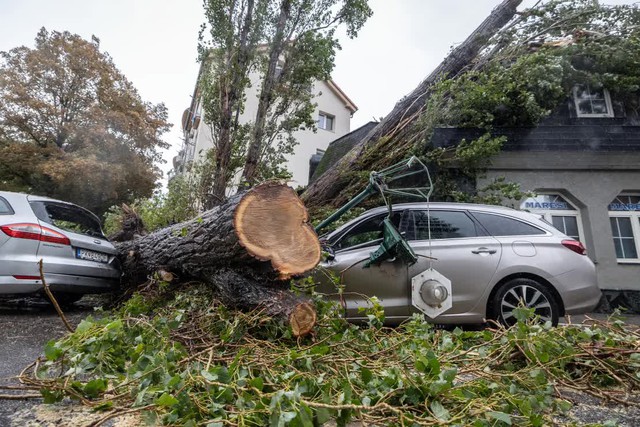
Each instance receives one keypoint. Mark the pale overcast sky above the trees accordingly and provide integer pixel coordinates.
(153, 42)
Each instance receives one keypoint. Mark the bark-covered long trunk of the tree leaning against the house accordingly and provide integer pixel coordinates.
(396, 124)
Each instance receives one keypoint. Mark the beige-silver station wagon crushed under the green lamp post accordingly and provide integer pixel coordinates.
(495, 257)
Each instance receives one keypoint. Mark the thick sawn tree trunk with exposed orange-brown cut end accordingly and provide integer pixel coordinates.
(246, 248)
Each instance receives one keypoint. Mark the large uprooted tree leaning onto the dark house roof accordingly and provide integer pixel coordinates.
(513, 70)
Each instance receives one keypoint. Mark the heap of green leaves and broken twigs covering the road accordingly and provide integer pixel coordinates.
(182, 358)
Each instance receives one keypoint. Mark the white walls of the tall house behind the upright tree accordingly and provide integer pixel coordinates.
(330, 102)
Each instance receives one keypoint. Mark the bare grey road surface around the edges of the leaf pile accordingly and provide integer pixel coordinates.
(26, 326)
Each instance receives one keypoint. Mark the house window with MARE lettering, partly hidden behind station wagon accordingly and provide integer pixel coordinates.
(558, 211)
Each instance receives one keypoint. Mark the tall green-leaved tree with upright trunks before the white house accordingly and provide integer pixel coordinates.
(290, 44)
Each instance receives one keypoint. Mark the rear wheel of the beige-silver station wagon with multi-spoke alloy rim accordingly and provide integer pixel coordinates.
(530, 294)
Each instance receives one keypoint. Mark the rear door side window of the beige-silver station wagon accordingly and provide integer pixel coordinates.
(444, 225)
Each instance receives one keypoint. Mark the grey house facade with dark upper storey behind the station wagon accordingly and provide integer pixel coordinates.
(583, 163)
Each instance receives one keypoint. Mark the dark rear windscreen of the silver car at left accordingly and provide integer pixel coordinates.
(68, 218)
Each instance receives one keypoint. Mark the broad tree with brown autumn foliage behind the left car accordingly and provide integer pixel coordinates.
(73, 127)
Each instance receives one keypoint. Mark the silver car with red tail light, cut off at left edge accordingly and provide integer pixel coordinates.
(77, 258)
